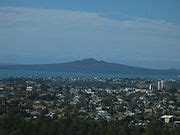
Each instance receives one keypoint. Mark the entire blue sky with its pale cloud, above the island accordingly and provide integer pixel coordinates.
(133, 32)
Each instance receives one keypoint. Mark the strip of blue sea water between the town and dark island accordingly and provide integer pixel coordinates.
(29, 73)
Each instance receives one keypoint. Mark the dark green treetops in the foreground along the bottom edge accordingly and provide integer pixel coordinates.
(13, 124)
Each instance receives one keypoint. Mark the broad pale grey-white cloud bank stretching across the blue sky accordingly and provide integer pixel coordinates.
(64, 33)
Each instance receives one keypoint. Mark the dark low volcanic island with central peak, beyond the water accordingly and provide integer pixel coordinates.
(92, 66)
